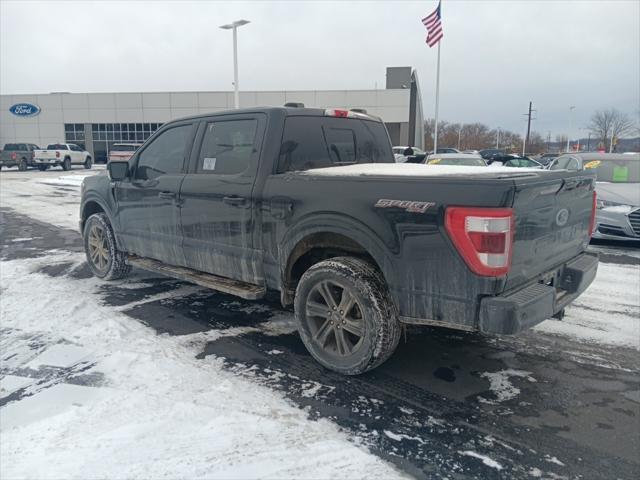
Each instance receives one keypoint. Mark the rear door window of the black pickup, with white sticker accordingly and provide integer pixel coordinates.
(227, 147)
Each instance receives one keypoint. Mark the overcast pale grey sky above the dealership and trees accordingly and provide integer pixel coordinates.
(496, 55)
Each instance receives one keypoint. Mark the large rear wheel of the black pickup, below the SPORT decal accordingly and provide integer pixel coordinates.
(345, 315)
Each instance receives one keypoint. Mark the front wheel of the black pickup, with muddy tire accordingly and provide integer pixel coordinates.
(104, 259)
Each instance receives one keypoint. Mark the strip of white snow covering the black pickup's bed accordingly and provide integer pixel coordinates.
(412, 170)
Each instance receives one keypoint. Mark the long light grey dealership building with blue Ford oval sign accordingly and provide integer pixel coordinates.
(97, 121)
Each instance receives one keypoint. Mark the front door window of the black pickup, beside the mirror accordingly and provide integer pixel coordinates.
(165, 155)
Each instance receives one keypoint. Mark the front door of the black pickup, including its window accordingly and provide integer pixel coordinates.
(148, 207)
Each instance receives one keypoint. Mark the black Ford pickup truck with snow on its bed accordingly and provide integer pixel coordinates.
(310, 203)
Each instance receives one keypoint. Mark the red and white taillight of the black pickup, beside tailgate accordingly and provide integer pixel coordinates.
(483, 237)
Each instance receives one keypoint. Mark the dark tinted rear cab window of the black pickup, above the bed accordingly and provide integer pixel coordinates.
(317, 142)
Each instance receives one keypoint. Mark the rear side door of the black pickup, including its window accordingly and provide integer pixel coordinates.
(216, 196)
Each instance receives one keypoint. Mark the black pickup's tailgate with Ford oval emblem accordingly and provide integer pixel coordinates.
(552, 218)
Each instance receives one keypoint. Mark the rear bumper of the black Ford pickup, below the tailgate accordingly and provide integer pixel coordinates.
(516, 311)
